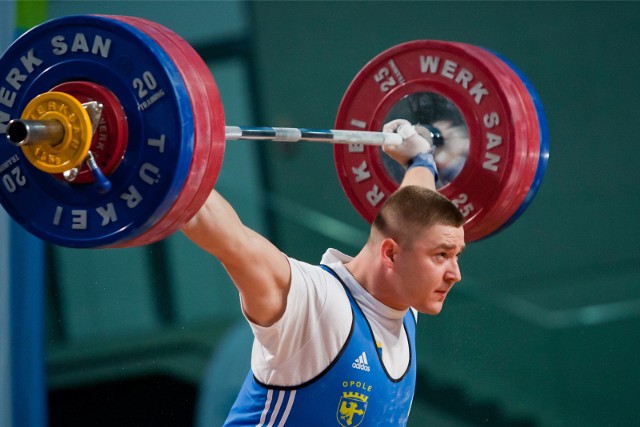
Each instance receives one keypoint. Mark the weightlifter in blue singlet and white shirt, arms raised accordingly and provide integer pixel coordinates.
(335, 344)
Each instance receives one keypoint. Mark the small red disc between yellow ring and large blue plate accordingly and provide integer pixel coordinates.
(110, 140)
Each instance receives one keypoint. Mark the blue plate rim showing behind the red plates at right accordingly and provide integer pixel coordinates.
(544, 143)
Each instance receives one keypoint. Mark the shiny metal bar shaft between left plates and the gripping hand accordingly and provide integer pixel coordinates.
(331, 136)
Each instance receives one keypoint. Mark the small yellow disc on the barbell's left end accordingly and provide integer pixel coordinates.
(72, 150)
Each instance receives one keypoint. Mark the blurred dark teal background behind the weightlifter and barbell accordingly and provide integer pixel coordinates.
(543, 329)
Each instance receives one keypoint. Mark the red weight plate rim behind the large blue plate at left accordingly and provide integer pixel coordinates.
(209, 131)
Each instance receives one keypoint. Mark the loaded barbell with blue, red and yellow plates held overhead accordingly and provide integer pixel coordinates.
(116, 133)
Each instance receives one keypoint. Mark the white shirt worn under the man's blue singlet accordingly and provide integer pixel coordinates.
(316, 324)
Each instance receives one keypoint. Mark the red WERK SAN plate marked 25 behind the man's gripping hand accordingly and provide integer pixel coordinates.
(489, 103)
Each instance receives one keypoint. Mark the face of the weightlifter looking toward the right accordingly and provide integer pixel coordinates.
(428, 267)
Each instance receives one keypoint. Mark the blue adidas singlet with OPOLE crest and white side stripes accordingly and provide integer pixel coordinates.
(355, 390)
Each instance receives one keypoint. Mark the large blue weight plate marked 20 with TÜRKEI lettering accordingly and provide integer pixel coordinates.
(160, 122)
